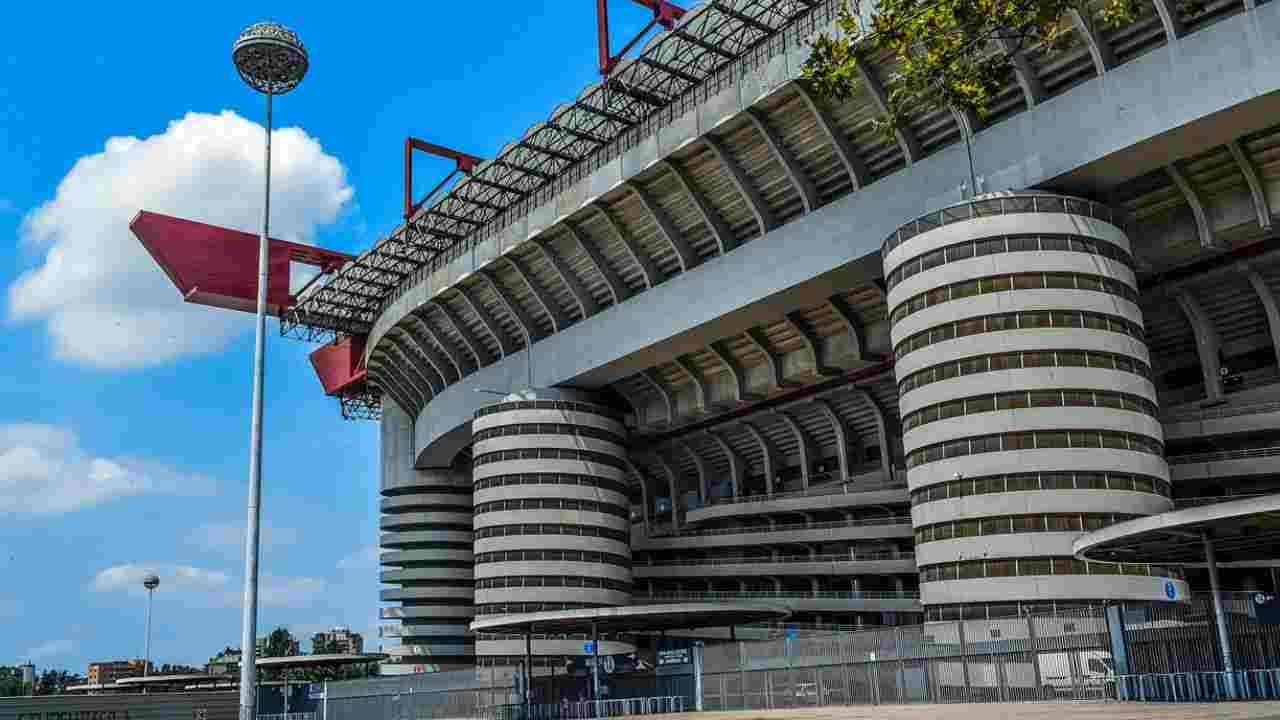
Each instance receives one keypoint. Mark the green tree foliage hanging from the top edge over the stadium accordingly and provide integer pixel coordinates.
(952, 53)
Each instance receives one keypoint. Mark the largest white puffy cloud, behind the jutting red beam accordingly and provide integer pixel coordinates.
(102, 297)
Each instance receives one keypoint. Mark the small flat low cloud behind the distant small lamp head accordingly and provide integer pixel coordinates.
(203, 587)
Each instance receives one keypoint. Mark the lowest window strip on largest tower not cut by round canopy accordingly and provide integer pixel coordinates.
(1045, 481)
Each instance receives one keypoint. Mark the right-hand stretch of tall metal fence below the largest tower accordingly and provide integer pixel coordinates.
(1169, 654)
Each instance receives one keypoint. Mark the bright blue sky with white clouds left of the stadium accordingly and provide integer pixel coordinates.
(124, 416)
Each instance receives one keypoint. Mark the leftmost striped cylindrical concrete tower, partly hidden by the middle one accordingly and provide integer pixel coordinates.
(427, 552)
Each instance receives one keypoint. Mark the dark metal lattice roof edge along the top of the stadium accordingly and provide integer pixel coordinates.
(673, 74)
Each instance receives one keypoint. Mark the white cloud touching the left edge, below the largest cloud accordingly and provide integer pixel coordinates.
(44, 472)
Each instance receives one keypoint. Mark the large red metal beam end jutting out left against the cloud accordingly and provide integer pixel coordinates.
(218, 267)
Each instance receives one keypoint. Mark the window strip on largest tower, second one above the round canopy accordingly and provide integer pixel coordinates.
(1035, 440)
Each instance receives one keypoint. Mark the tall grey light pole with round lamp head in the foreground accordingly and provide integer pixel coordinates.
(272, 60)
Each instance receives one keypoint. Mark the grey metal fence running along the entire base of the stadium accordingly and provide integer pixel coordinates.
(1142, 653)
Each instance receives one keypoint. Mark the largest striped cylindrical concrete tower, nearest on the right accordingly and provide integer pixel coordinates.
(1027, 404)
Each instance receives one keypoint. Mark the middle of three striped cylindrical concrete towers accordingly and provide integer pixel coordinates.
(552, 517)
